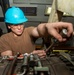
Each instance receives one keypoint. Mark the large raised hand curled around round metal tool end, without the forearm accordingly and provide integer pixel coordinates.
(54, 28)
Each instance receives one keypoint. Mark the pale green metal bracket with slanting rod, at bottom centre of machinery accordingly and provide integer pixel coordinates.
(39, 69)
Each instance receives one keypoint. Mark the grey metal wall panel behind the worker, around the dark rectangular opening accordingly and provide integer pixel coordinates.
(40, 6)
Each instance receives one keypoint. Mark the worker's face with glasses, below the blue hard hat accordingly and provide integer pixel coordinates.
(17, 29)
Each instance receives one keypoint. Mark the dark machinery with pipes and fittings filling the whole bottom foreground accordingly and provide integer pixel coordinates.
(29, 64)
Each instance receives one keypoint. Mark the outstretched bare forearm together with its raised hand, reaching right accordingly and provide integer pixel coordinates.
(53, 29)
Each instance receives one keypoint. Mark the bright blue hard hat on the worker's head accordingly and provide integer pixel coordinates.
(15, 15)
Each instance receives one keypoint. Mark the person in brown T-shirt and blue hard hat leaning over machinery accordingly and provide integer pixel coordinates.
(22, 39)
